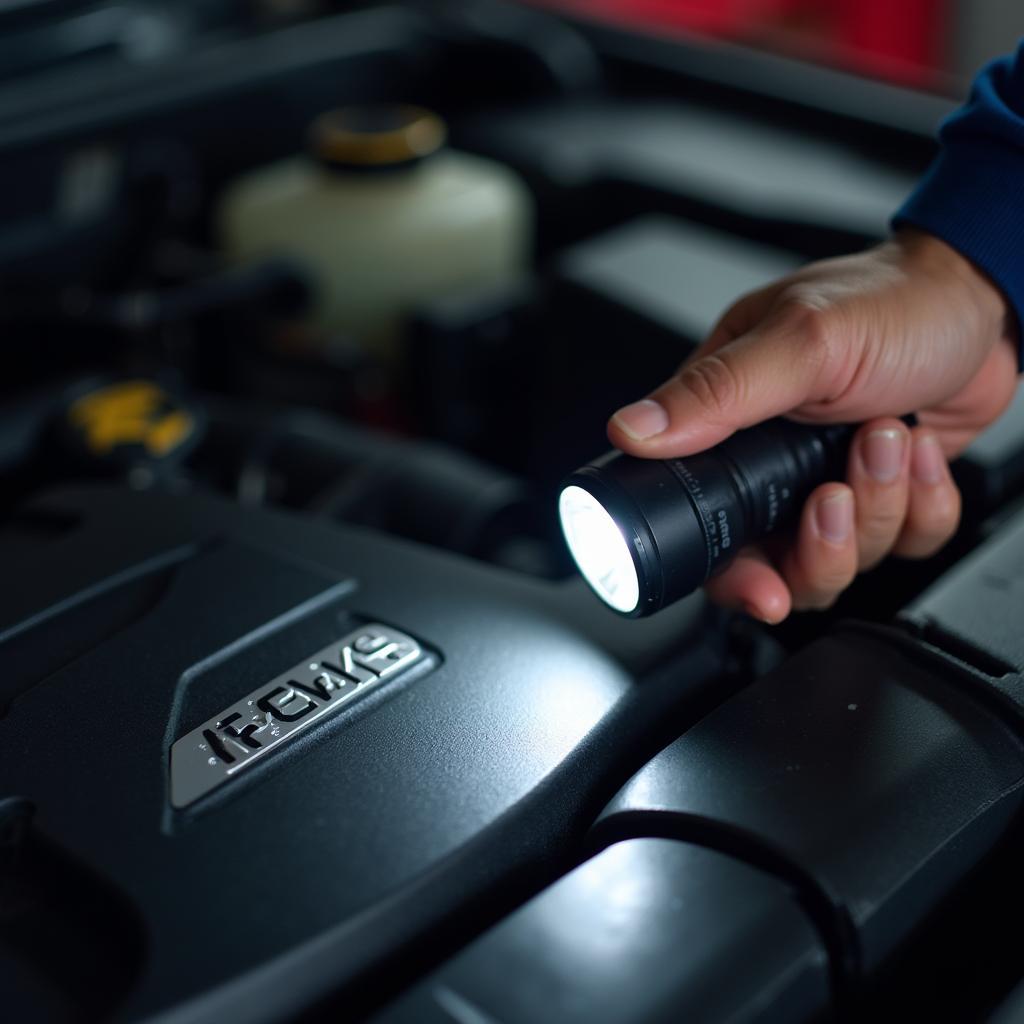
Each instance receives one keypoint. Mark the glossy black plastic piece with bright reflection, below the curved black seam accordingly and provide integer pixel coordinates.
(648, 931)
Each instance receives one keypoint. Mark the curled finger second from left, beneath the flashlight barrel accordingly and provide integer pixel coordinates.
(823, 562)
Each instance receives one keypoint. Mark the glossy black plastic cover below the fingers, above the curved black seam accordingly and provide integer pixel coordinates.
(872, 780)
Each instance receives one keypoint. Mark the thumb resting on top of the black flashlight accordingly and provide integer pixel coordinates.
(763, 374)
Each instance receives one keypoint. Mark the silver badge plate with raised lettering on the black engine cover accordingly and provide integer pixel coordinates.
(278, 711)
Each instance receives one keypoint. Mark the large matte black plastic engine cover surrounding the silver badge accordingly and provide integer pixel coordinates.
(126, 620)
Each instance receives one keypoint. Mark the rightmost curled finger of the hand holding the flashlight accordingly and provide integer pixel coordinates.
(934, 508)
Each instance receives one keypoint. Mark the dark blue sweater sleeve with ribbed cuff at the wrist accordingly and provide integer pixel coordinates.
(973, 195)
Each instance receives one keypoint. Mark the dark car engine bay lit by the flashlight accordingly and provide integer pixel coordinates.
(305, 711)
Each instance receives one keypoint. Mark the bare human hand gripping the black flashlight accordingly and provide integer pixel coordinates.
(908, 327)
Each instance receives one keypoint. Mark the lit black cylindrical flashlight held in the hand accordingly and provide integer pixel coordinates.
(646, 533)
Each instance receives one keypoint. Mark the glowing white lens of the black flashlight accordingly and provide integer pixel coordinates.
(600, 548)
